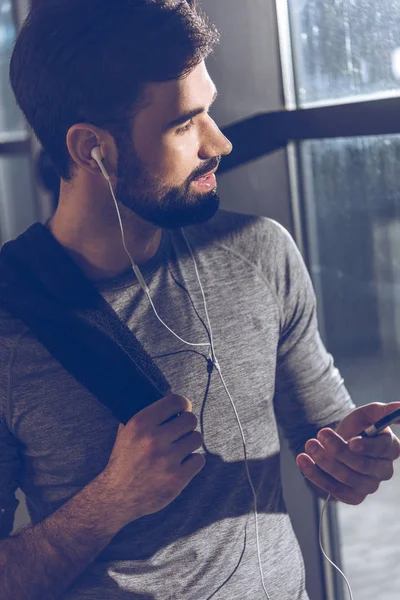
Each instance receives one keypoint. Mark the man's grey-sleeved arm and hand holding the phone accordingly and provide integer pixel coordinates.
(311, 394)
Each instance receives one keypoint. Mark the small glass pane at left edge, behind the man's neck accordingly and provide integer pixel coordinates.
(17, 201)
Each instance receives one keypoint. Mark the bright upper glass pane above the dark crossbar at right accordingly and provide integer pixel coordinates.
(345, 48)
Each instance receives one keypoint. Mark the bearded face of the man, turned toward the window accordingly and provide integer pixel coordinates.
(162, 168)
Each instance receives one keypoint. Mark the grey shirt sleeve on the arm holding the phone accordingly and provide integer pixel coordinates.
(310, 392)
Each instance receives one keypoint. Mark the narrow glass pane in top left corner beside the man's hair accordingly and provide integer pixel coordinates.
(10, 116)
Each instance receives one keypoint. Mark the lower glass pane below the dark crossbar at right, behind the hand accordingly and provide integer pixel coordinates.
(352, 192)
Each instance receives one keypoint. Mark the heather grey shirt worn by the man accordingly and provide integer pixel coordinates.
(55, 437)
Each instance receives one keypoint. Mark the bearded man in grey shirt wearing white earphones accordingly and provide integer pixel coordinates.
(162, 507)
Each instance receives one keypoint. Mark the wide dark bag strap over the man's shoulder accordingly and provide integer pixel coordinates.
(41, 285)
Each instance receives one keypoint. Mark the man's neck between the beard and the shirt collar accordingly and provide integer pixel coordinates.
(87, 226)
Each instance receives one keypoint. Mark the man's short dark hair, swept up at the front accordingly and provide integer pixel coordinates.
(78, 61)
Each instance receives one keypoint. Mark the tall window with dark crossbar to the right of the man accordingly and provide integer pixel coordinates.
(340, 64)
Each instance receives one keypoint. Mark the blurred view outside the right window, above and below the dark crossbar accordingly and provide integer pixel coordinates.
(345, 51)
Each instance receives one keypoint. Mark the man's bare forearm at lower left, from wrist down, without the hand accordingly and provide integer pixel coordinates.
(44, 560)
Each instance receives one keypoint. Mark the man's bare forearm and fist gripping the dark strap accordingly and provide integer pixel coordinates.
(44, 560)
